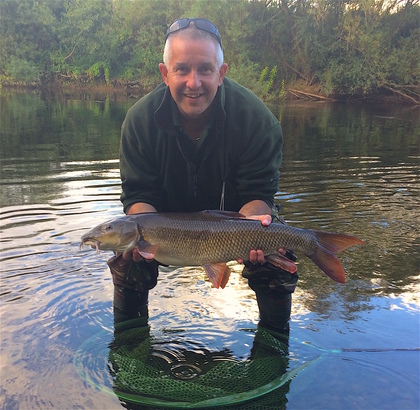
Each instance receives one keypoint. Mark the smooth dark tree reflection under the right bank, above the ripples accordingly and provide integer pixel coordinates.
(321, 132)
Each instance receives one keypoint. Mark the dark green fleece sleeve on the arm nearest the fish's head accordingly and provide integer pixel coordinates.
(139, 173)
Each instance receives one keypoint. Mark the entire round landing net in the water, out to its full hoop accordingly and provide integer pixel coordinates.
(175, 369)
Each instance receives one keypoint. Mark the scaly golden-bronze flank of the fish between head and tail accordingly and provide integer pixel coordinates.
(207, 240)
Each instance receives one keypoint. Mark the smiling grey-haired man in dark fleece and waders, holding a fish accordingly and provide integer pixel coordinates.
(200, 141)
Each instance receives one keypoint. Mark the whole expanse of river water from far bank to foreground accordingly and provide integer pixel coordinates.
(347, 168)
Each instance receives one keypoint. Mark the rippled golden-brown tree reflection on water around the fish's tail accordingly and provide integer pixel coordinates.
(387, 264)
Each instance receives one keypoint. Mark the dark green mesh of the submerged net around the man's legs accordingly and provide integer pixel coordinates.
(142, 374)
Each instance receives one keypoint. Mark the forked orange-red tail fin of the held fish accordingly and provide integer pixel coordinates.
(330, 244)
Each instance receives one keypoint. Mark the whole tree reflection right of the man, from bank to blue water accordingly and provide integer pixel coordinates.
(346, 170)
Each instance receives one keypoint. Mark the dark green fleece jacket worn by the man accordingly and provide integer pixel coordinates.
(161, 166)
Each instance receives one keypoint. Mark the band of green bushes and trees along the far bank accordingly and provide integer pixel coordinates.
(342, 47)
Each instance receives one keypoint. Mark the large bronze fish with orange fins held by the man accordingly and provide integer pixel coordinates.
(213, 238)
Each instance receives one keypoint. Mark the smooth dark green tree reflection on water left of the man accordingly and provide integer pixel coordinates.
(41, 137)
